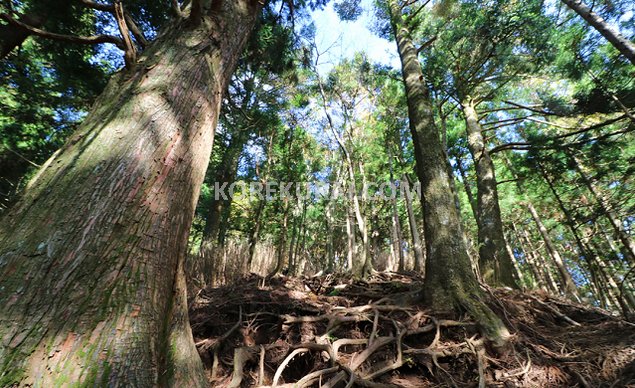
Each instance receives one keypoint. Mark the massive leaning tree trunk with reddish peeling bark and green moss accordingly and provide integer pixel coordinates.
(91, 258)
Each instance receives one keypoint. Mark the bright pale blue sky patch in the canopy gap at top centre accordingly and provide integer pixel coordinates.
(344, 39)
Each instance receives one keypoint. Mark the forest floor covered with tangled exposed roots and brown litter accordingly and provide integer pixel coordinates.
(334, 331)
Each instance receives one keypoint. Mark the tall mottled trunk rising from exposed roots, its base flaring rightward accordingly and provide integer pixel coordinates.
(449, 279)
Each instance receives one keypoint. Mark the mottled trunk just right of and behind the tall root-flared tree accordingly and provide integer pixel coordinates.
(495, 264)
